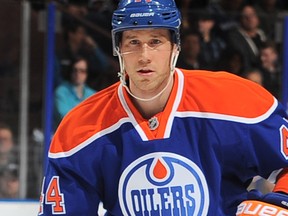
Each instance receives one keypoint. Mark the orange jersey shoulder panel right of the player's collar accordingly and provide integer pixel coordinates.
(225, 93)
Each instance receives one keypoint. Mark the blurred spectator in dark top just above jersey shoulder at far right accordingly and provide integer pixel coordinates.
(271, 68)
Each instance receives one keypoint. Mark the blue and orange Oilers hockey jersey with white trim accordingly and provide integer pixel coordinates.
(197, 157)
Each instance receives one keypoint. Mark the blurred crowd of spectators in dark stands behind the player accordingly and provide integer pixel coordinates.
(243, 37)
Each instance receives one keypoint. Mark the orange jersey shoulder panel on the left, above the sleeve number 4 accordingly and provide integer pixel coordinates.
(87, 119)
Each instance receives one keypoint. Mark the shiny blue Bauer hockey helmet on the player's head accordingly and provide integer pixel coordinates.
(141, 14)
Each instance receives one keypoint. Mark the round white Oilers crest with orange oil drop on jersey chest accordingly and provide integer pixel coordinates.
(163, 184)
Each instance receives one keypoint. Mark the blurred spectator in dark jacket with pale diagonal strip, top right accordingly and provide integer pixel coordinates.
(248, 38)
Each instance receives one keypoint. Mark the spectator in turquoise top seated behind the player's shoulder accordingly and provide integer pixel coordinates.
(73, 91)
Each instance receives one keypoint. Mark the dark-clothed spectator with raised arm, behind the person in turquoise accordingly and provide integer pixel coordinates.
(78, 42)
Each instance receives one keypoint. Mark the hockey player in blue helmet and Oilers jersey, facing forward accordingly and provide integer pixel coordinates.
(166, 141)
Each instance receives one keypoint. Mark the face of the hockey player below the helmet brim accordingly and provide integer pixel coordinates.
(146, 56)
